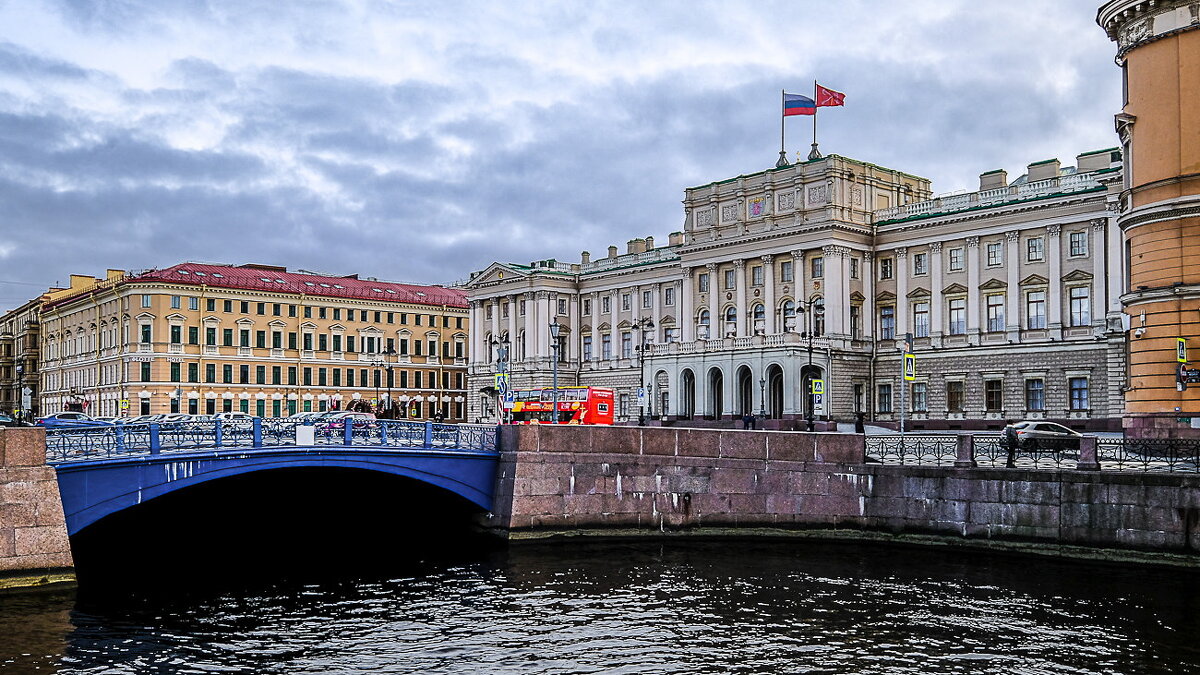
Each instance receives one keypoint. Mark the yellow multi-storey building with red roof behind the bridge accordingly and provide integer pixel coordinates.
(212, 338)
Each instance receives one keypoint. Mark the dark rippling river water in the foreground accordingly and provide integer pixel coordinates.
(675, 607)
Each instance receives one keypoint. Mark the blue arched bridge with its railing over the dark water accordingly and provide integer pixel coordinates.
(104, 470)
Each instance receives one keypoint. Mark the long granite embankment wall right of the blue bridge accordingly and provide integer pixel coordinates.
(556, 480)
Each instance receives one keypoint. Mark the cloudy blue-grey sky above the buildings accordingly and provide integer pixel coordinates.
(422, 141)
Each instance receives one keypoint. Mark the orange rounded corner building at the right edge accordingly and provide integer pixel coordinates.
(1159, 52)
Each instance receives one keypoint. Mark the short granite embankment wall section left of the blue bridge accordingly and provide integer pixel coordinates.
(34, 545)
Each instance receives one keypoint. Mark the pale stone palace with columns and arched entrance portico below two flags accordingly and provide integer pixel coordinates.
(819, 272)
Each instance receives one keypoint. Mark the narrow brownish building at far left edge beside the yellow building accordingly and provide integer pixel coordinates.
(20, 342)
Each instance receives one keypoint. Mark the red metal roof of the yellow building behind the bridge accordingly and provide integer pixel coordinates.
(268, 278)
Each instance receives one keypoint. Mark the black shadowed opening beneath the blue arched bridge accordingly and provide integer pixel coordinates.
(280, 524)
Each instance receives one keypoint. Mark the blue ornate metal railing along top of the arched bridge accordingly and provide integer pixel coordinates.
(75, 444)
